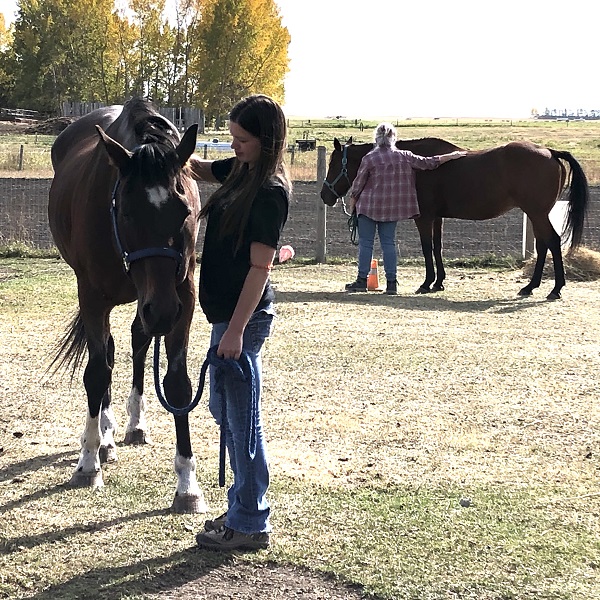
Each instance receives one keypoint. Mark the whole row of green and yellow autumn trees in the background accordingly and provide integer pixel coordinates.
(208, 54)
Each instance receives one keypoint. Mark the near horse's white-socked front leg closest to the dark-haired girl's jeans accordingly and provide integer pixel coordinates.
(178, 391)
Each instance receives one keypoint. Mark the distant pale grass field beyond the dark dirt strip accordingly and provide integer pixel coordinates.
(581, 138)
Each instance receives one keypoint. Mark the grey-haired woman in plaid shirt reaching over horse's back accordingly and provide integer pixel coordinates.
(383, 193)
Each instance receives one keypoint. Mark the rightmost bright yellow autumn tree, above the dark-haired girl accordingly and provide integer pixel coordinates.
(240, 47)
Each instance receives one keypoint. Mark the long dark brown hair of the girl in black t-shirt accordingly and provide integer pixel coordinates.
(263, 118)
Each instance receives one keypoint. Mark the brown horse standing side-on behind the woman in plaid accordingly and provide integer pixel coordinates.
(482, 185)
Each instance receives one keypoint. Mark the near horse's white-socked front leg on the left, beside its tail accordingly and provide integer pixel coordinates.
(96, 379)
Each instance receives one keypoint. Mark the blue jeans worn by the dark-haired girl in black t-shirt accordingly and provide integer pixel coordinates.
(248, 510)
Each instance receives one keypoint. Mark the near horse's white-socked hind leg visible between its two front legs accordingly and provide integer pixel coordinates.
(137, 429)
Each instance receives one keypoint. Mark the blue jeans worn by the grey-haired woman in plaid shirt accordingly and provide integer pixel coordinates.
(366, 241)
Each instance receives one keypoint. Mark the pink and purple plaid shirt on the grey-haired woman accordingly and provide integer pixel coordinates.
(384, 187)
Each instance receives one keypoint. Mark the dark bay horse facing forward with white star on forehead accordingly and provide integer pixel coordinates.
(123, 211)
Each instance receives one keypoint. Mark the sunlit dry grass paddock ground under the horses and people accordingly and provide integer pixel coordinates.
(422, 446)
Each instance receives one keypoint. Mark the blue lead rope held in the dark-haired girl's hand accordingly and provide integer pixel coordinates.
(243, 370)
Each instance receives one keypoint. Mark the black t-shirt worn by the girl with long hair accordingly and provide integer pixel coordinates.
(222, 273)
